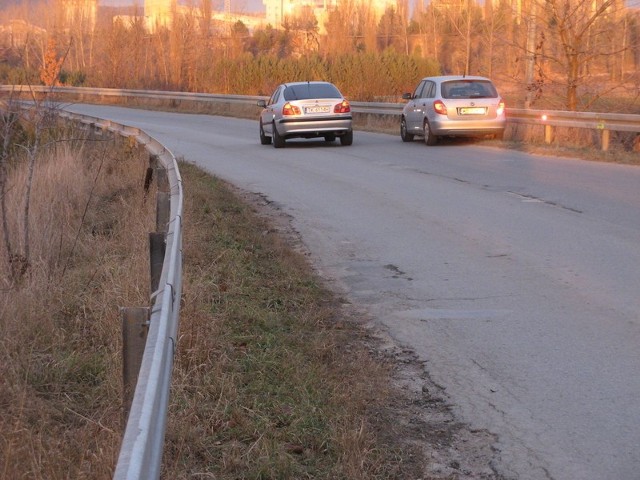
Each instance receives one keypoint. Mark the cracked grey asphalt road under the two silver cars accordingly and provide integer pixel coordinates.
(514, 278)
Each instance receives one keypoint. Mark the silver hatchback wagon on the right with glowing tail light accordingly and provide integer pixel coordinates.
(452, 106)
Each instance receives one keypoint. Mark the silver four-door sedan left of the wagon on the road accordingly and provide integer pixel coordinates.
(305, 110)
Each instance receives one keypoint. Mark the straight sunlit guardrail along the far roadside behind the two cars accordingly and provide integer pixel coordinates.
(605, 123)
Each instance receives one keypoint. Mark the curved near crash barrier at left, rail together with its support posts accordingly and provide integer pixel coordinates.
(148, 363)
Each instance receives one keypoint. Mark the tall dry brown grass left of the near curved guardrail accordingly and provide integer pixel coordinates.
(60, 366)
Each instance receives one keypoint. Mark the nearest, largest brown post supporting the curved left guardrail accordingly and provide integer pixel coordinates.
(135, 325)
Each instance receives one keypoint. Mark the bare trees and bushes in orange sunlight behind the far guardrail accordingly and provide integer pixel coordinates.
(567, 54)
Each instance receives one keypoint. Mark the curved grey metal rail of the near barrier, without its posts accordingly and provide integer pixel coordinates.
(142, 445)
